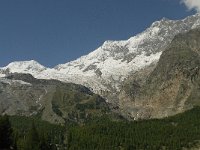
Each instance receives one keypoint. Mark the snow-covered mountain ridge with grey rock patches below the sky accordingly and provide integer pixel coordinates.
(104, 68)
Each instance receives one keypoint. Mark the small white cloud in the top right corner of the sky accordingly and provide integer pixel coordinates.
(192, 4)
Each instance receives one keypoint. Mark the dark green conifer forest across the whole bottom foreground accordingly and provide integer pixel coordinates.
(173, 133)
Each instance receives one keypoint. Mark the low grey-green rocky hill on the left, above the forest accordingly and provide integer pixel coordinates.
(53, 101)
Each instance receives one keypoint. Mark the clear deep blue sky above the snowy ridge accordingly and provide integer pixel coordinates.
(57, 31)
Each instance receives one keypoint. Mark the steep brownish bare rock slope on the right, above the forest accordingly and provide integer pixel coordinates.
(172, 87)
